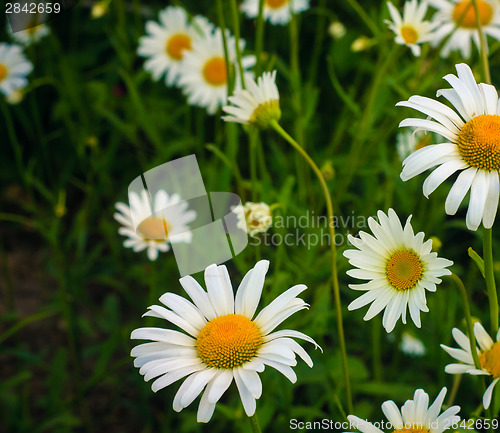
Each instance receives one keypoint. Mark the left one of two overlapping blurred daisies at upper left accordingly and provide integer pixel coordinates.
(167, 42)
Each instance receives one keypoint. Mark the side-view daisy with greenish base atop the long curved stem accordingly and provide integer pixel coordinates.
(257, 105)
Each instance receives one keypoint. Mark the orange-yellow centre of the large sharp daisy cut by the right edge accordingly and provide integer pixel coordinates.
(479, 142)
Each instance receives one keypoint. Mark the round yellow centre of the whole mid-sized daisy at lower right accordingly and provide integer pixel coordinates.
(404, 270)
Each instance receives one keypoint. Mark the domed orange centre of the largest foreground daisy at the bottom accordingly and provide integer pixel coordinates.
(228, 341)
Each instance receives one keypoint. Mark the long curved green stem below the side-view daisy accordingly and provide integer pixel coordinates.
(335, 281)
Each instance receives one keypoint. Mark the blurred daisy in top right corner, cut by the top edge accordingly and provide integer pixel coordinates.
(461, 13)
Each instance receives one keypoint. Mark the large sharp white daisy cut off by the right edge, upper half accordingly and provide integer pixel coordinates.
(471, 146)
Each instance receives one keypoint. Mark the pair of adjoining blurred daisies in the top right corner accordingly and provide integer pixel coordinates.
(454, 22)
